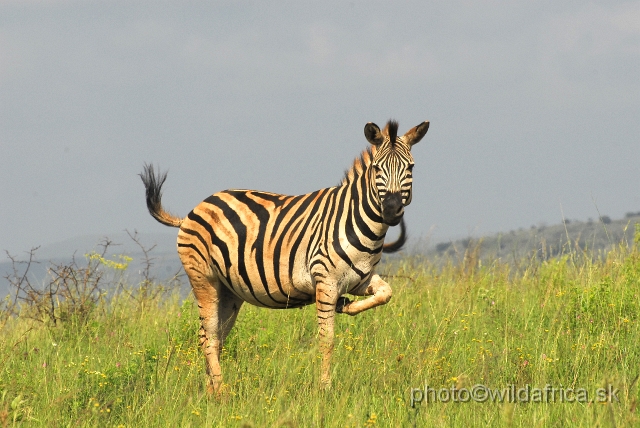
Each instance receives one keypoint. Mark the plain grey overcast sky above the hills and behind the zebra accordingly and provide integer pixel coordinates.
(534, 108)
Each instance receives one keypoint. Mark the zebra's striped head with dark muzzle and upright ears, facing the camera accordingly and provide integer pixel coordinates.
(392, 166)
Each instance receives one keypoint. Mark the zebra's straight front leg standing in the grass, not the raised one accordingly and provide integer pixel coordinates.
(326, 298)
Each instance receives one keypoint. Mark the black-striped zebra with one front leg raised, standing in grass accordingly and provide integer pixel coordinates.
(278, 251)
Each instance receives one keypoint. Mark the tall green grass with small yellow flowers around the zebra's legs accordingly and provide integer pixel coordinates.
(567, 322)
